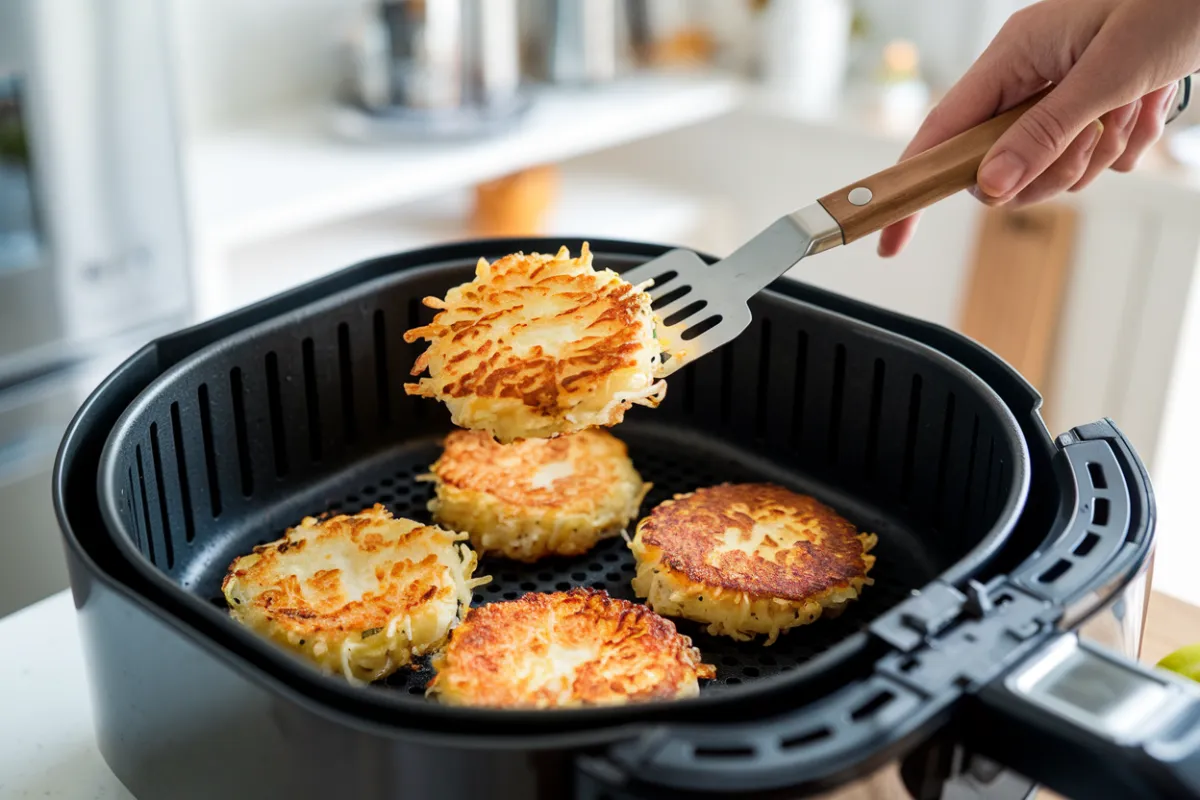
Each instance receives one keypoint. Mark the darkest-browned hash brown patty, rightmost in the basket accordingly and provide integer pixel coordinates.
(751, 558)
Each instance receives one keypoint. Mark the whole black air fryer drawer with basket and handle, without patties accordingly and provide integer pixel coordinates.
(1004, 557)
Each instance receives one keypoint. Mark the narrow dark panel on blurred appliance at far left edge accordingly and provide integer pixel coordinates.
(20, 240)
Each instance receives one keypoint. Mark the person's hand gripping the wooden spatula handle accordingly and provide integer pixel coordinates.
(1115, 68)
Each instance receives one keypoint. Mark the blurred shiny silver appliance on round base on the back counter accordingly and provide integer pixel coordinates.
(433, 69)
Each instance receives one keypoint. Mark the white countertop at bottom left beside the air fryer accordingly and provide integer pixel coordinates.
(47, 744)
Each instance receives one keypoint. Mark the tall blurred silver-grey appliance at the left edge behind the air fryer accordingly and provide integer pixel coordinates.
(93, 250)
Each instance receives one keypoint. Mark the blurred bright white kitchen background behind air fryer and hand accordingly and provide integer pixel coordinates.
(166, 161)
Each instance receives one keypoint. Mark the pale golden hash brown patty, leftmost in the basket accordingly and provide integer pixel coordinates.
(358, 596)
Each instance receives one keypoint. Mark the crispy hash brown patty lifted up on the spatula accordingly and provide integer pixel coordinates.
(537, 346)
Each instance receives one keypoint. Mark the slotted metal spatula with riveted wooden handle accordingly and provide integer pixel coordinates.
(701, 306)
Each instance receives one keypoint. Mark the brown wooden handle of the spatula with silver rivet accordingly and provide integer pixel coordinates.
(917, 183)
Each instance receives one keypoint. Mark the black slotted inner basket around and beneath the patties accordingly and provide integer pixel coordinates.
(308, 413)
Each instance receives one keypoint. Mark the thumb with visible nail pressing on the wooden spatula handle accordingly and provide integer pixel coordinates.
(1036, 141)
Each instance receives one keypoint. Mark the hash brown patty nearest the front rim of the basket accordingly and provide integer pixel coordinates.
(566, 649)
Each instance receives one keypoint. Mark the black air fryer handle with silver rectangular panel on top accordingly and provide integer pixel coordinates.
(1090, 724)
